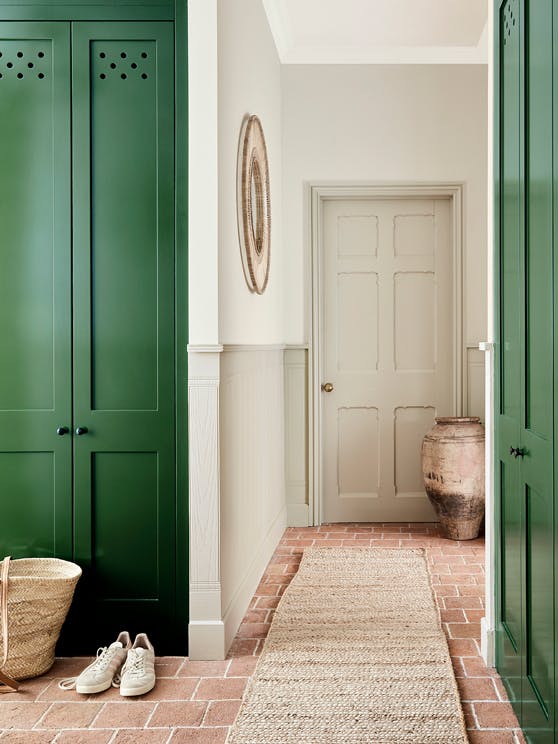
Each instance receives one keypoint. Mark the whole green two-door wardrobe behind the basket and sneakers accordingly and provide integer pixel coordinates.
(92, 250)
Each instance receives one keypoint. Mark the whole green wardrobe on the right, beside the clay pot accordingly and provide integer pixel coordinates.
(526, 146)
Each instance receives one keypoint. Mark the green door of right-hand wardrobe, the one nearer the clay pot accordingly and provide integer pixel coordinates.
(508, 413)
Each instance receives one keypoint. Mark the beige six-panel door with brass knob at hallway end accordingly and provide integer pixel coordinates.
(386, 350)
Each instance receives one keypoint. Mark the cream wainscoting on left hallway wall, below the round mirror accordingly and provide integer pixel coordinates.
(253, 507)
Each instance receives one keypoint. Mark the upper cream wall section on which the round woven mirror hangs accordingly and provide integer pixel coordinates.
(249, 82)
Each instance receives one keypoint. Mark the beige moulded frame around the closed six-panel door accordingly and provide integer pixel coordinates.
(316, 195)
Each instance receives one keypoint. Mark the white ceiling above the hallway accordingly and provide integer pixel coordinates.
(379, 31)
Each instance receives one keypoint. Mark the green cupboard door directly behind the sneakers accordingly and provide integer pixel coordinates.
(124, 446)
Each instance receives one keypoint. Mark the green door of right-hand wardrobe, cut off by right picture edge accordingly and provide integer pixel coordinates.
(536, 467)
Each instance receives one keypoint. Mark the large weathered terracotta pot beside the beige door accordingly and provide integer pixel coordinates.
(453, 470)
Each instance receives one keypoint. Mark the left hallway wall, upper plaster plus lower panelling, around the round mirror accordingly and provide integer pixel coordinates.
(252, 480)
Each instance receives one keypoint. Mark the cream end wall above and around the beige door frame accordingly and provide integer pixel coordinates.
(381, 124)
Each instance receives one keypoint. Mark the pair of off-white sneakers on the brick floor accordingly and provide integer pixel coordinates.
(131, 667)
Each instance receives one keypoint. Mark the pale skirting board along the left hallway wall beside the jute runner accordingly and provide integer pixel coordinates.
(241, 599)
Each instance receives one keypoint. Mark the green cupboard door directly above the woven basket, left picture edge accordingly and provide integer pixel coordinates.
(35, 325)
